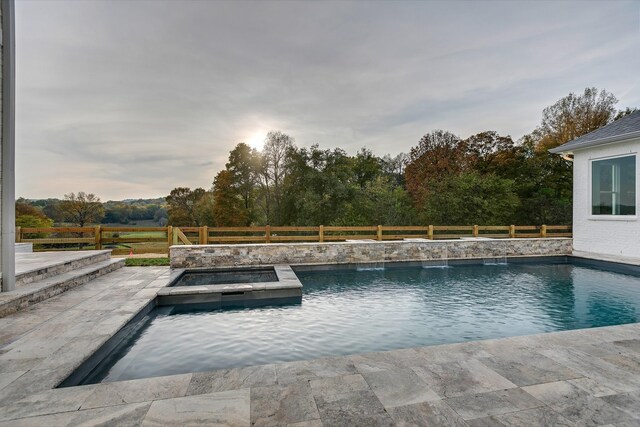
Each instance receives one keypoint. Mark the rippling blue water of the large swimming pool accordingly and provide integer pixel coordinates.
(348, 311)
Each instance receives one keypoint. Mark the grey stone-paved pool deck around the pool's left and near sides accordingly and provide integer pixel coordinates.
(582, 377)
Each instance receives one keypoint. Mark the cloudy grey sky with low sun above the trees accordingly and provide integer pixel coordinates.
(130, 99)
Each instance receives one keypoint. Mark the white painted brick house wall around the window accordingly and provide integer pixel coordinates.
(607, 235)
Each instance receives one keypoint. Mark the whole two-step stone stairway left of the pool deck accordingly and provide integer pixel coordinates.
(42, 275)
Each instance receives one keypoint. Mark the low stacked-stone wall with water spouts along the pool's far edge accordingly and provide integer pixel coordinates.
(200, 256)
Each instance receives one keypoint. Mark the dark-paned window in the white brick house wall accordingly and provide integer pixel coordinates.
(613, 186)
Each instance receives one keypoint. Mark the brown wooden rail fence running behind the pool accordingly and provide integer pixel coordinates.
(124, 240)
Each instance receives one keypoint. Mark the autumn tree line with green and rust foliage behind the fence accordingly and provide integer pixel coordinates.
(445, 179)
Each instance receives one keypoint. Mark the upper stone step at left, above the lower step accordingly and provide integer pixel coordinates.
(41, 265)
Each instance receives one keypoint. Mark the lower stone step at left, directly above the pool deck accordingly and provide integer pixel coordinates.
(26, 295)
